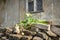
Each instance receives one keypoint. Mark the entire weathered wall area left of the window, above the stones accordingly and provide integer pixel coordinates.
(11, 12)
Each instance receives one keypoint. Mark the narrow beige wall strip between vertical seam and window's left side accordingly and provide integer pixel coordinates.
(22, 9)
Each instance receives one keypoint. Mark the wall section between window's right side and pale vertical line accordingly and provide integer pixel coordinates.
(48, 10)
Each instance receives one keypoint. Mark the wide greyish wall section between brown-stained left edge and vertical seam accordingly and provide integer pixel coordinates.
(11, 13)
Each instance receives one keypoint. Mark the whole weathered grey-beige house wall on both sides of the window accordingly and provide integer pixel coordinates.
(14, 11)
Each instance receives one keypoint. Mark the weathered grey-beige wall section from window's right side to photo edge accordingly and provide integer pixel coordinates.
(51, 11)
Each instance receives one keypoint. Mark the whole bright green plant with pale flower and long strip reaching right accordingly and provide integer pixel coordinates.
(30, 21)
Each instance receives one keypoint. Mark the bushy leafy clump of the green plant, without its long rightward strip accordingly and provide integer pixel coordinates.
(28, 22)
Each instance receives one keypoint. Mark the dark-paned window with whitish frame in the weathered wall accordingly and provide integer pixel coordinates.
(34, 6)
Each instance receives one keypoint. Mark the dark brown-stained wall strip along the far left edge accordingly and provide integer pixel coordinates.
(2, 14)
